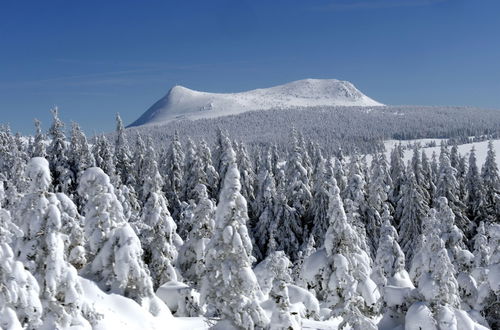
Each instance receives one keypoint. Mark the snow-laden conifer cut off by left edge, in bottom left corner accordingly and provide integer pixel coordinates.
(20, 306)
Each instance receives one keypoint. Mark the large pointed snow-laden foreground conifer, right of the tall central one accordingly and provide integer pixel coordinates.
(348, 289)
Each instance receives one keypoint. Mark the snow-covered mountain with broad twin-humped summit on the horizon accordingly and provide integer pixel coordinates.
(184, 103)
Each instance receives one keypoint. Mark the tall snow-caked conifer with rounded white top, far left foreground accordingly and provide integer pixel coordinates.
(43, 252)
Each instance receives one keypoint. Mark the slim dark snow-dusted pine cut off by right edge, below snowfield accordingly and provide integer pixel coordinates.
(491, 184)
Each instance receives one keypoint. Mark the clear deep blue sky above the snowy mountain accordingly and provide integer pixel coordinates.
(95, 58)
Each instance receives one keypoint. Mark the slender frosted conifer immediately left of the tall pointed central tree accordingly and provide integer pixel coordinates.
(191, 260)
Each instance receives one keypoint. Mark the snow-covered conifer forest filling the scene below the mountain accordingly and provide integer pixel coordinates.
(224, 234)
